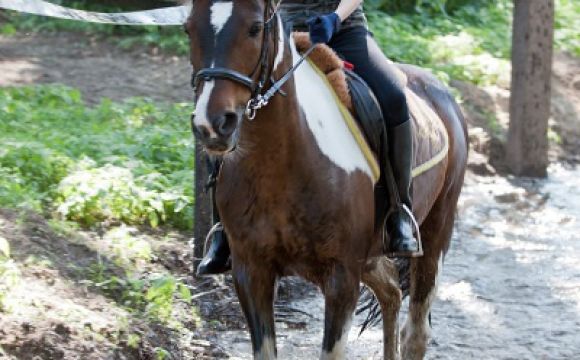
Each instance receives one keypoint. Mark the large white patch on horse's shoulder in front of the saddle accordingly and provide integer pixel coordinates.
(325, 120)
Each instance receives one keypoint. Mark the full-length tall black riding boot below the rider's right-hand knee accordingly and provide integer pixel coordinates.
(400, 223)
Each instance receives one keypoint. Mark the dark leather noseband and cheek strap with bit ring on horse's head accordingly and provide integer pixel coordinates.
(262, 68)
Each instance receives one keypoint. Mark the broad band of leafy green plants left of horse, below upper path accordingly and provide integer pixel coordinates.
(128, 162)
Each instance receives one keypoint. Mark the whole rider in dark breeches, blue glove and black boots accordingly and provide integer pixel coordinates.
(342, 25)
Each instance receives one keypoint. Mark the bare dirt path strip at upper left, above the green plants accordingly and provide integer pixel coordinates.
(97, 68)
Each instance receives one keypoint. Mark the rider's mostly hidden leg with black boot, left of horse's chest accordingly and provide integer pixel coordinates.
(216, 260)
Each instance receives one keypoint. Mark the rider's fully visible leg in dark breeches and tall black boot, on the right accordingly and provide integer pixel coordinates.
(358, 47)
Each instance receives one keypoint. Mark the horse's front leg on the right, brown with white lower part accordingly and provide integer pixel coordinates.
(341, 291)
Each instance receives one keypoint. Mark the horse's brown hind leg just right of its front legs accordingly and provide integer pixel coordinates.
(381, 276)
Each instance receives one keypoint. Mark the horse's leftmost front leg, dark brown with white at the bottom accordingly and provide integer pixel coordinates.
(255, 287)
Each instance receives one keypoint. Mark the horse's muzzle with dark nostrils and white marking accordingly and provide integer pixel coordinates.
(218, 134)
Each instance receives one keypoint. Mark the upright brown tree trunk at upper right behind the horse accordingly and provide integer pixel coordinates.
(533, 30)
